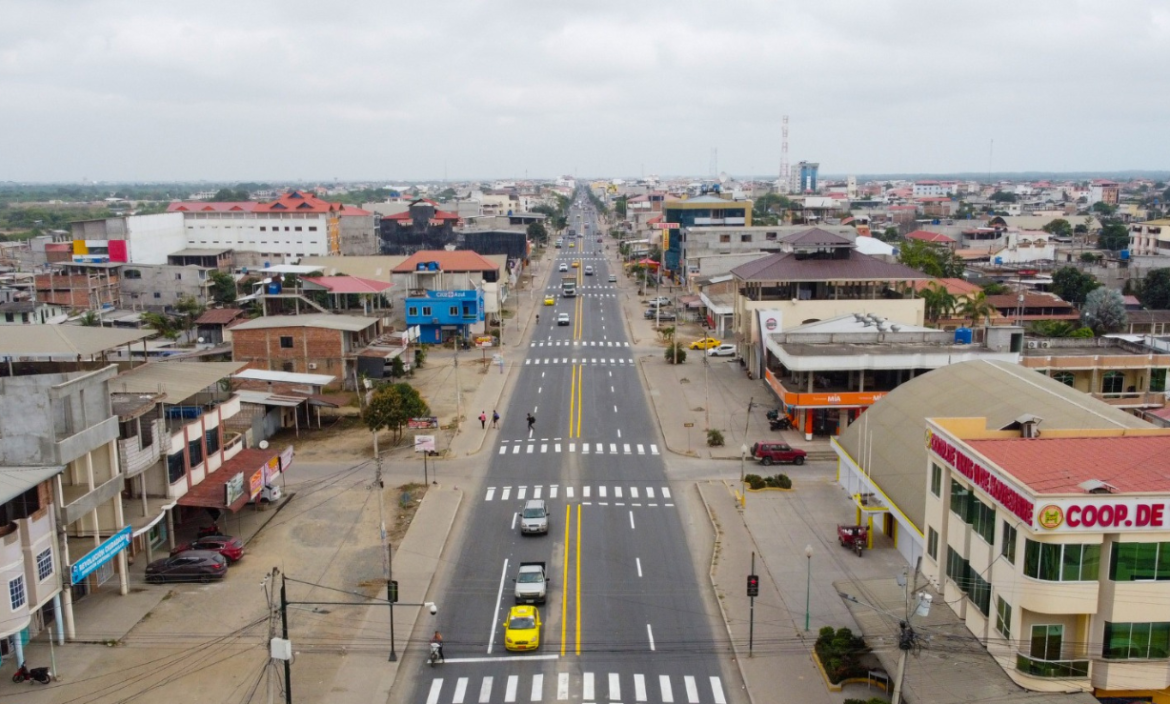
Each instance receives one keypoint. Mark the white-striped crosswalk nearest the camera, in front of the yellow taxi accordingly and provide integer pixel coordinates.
(591, 688)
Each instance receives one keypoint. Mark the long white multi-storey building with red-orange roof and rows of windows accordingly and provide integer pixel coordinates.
(291, 227)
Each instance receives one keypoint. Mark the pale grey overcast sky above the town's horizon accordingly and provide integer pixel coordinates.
(257, 91)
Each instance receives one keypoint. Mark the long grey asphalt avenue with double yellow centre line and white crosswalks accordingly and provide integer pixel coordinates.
(625, 619)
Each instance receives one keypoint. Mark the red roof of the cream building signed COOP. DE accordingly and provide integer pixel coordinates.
(1058, 465)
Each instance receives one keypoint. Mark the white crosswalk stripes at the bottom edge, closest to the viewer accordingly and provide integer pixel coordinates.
(591, 687)
